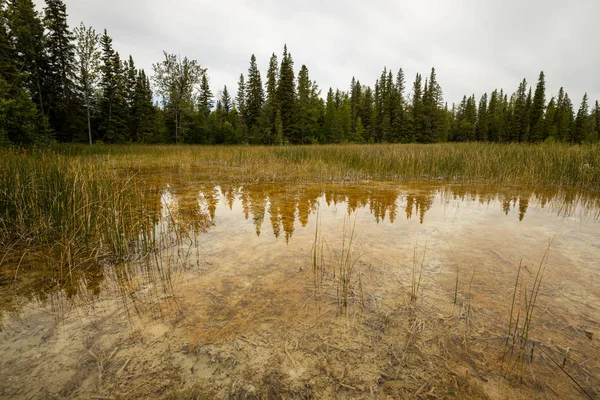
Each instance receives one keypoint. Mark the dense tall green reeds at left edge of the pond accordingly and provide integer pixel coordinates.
(70, 209)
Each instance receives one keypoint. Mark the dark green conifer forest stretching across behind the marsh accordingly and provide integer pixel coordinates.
(58, 84)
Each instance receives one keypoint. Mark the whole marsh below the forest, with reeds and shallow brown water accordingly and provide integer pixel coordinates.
(201, 273)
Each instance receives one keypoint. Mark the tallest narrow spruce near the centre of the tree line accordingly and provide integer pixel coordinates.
(286, 94)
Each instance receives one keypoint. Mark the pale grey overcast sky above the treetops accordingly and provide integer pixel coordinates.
(475, 45)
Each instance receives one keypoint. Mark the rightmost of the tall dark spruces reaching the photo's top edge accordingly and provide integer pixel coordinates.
(59, 89)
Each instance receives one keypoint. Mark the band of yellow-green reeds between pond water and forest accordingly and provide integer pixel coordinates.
(547, 165)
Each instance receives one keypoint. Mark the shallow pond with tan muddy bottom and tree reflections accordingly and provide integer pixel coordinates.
(370, 290)
